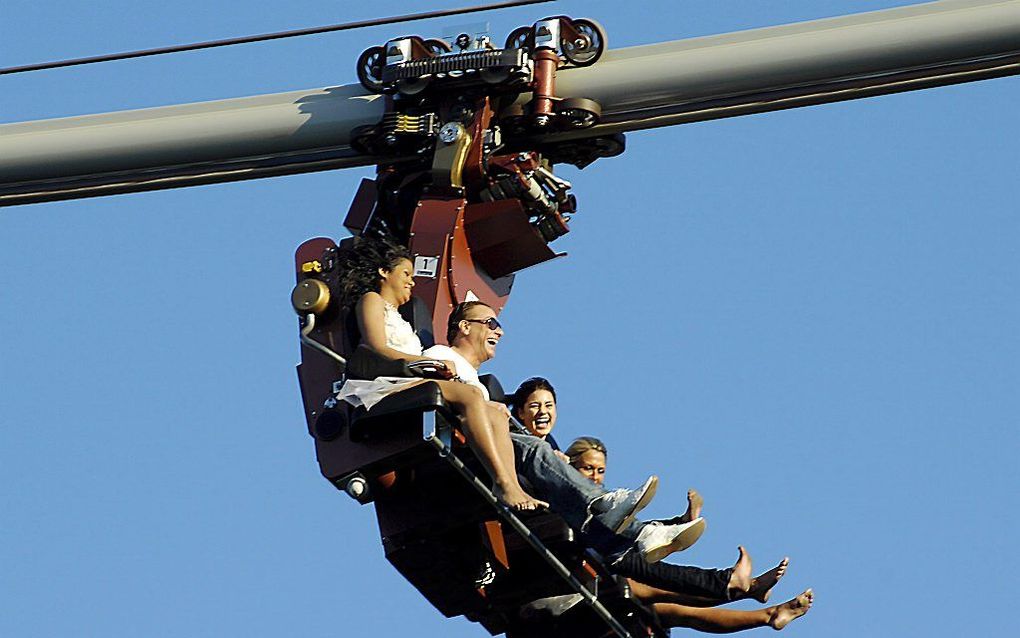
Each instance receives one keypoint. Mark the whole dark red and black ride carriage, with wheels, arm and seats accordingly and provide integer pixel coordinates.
(466, 154)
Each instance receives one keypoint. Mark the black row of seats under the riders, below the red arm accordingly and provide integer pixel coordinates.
(437, 528)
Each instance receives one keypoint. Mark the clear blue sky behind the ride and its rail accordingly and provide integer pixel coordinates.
(810, 316)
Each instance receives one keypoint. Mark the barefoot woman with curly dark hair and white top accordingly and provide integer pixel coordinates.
(378, 279)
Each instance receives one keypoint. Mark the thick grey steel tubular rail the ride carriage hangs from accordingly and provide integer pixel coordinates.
(667, 84)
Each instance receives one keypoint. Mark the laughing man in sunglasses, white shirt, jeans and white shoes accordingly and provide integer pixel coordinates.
(606, 519)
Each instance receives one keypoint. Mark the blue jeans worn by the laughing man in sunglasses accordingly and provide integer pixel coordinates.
(569, 494)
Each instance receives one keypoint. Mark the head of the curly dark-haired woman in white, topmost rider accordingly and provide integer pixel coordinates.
(376, 266)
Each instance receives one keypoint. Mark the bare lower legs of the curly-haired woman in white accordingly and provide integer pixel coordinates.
(479, 432)
